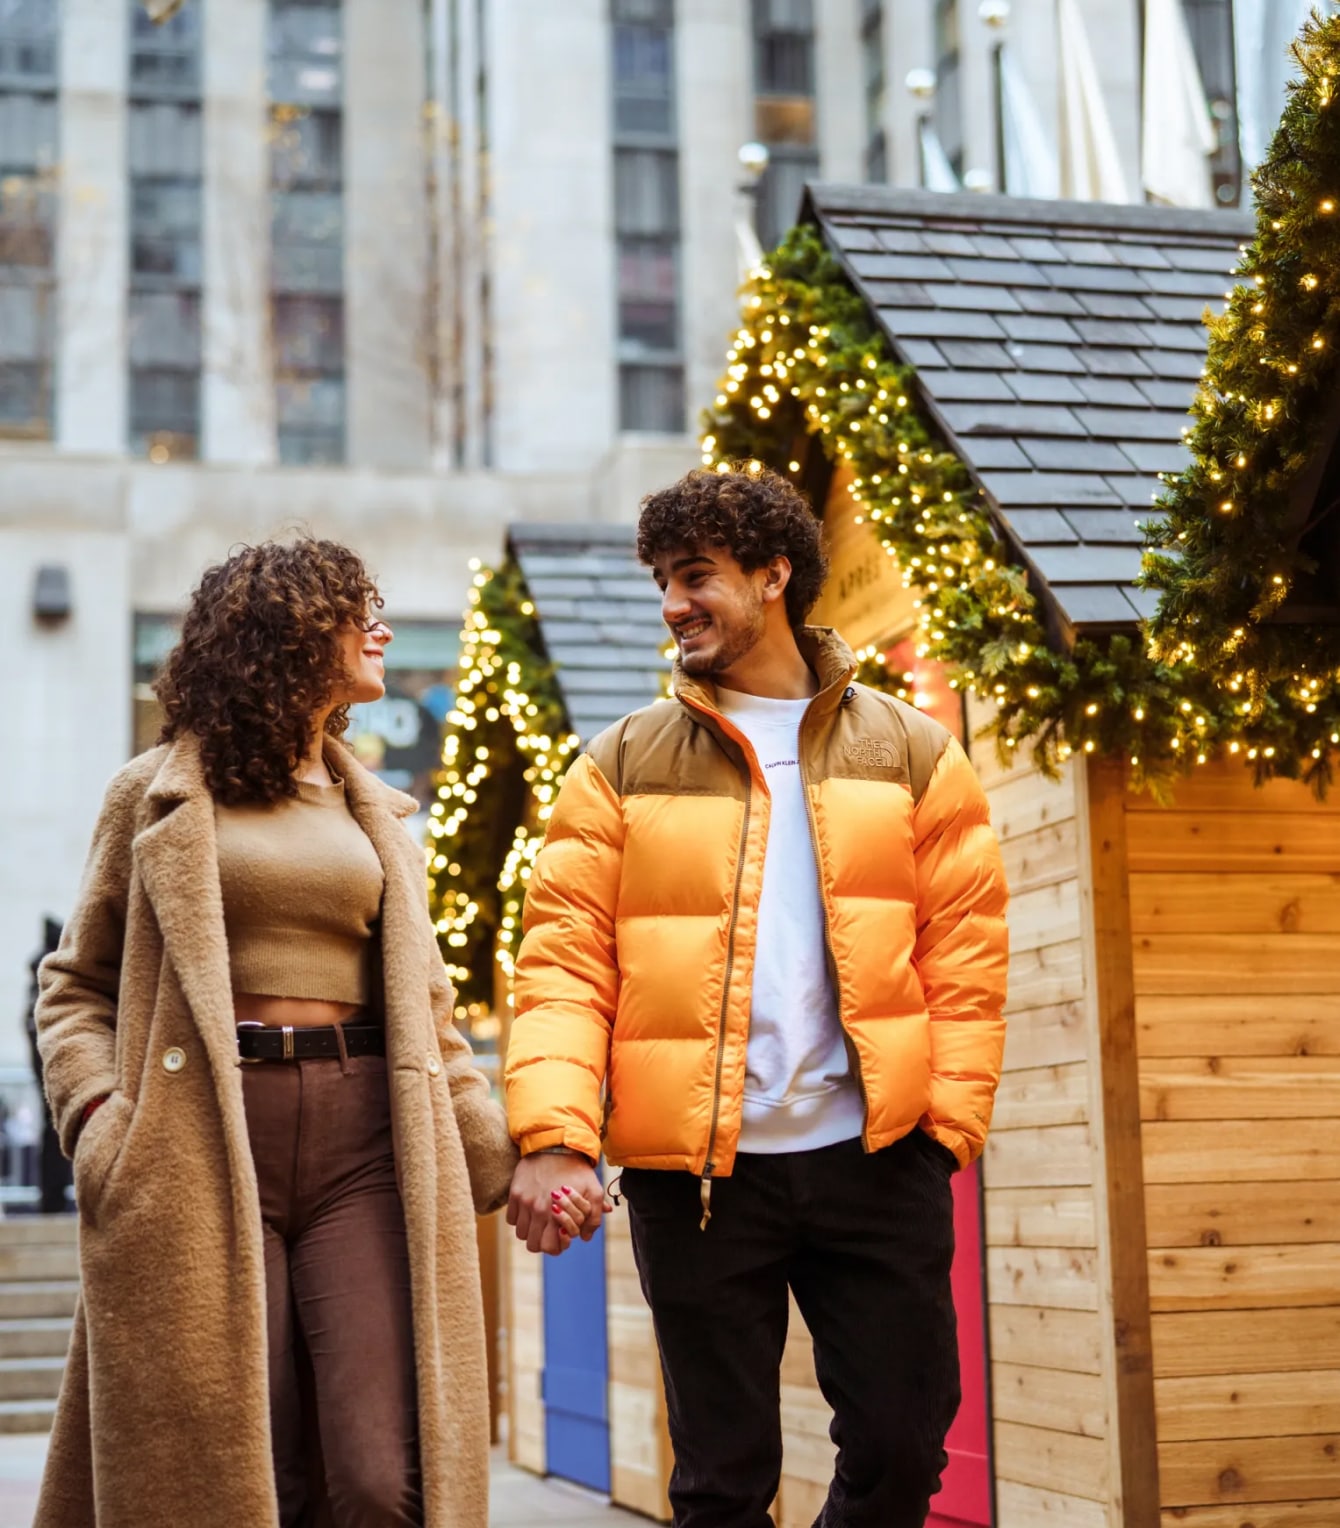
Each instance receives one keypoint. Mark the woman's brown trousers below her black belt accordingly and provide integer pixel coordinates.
(338, 1289)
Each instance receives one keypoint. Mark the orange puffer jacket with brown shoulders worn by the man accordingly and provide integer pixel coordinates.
(636, 966)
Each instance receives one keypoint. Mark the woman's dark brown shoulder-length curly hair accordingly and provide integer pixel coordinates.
(259, 658)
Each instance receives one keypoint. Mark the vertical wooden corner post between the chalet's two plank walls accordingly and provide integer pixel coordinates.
(1119, 1171)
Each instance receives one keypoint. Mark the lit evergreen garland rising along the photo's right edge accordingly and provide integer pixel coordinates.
(1229, 551)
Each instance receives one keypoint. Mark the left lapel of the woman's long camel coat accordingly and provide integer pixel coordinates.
(178, 863)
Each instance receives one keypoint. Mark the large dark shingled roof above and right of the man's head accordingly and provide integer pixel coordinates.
(1057, 348)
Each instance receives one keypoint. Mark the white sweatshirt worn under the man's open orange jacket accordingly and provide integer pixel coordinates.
(798, 1090)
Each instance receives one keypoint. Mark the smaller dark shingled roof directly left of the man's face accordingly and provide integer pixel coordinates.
(600, 617)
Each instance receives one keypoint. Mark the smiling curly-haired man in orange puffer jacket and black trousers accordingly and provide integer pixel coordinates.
(769, 922)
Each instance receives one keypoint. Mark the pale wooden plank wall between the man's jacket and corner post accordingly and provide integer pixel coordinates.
(1049, 1394)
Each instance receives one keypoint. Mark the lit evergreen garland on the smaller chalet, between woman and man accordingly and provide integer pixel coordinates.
(505, 753)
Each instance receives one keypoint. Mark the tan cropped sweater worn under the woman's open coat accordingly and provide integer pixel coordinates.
(302, 896)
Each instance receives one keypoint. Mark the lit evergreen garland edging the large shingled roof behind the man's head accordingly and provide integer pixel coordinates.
(809, 360)
